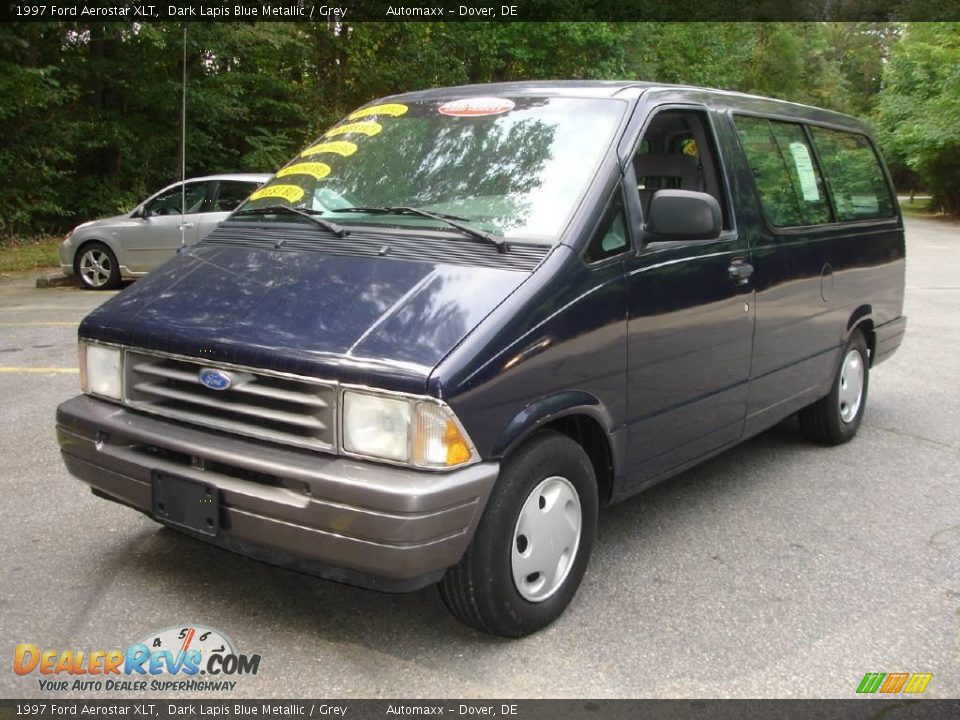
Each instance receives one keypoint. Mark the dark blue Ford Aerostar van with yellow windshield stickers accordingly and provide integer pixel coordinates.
(463, 319)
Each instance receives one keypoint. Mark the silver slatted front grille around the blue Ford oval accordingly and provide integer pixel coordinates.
(285, 409)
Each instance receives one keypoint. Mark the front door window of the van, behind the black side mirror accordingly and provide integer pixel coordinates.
(677, 151)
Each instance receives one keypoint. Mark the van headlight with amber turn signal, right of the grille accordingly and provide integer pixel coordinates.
(423, 433)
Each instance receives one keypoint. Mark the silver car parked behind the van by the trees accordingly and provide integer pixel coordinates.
(103, 252)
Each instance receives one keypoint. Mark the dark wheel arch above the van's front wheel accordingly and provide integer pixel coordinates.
(578, 415)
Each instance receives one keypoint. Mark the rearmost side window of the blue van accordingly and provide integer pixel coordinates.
(854, 176)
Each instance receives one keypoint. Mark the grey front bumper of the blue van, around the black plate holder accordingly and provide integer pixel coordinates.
(381, 527)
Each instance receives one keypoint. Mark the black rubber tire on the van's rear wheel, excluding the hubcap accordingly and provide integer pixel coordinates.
(823, 422)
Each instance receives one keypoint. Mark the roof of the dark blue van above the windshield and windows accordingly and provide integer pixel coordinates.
(632, 89)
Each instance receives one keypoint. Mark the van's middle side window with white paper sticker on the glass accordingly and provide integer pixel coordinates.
(791, 189)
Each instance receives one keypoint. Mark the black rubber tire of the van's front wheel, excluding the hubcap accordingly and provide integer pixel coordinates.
(480, 591)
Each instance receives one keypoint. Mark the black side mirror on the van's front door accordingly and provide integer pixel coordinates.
(683, 215)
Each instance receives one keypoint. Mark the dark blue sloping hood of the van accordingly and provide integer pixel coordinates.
(367, 320)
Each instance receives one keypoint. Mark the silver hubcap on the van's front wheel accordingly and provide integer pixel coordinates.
(546, 539)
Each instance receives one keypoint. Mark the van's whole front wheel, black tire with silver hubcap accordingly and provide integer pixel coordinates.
(533, 543)
